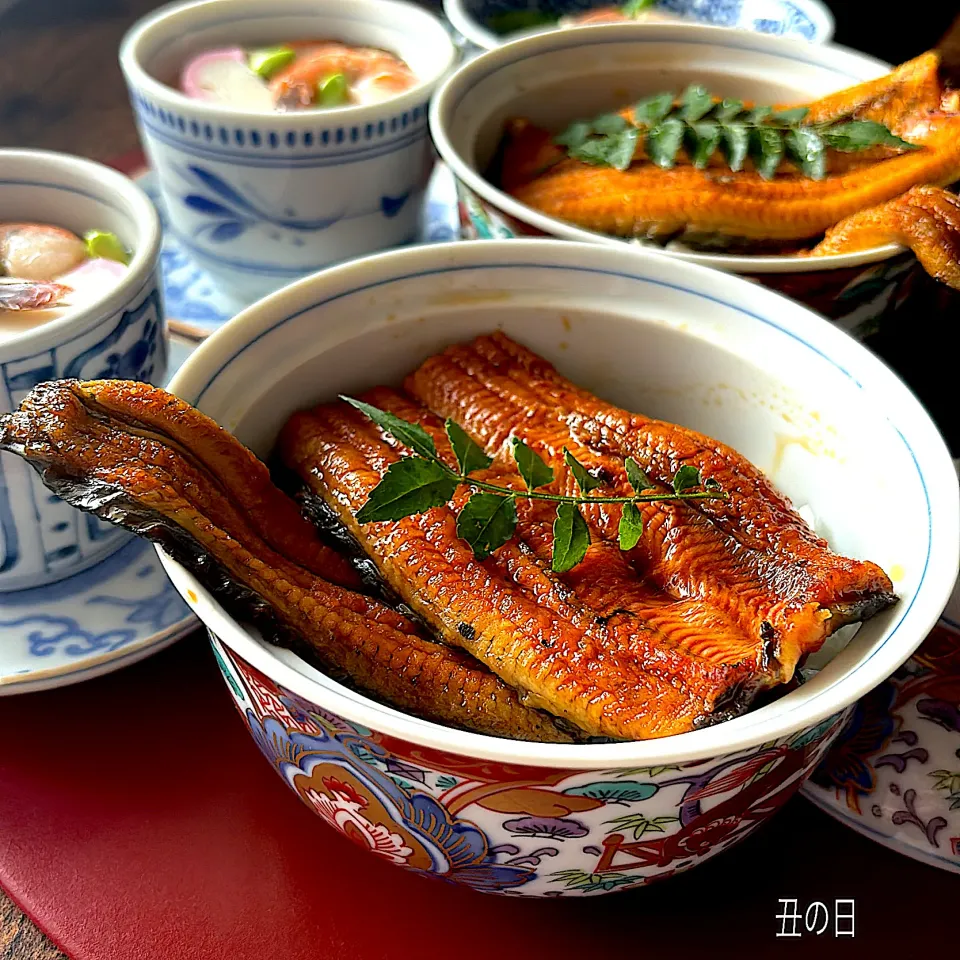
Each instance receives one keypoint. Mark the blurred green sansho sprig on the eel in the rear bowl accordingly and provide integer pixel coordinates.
(701, 125)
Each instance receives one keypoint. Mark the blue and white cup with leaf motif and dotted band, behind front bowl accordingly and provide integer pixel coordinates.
(260, 199)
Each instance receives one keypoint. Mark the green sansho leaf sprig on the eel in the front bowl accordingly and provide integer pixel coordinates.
(418, 482)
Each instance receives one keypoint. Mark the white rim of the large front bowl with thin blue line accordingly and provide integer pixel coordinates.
(600, 756)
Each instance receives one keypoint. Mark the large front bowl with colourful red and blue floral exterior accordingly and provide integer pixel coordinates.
(833, 427)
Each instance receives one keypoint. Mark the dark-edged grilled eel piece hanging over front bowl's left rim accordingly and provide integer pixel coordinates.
(138, 456)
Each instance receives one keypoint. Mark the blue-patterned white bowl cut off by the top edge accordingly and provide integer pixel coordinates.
(807, 20)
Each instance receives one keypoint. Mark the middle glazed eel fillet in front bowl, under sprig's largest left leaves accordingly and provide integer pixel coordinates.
(606, 675)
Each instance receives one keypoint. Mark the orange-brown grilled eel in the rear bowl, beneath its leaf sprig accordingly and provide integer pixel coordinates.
(647, 201)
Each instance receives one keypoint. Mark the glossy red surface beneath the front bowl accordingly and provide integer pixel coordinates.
(138, 821)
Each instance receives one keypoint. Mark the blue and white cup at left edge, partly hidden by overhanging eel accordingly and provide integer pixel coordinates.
(122, 334)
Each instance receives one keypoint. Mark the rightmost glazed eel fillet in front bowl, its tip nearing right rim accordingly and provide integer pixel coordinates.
(774, 589)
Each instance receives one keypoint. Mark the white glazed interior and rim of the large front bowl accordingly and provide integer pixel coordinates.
(832, 426)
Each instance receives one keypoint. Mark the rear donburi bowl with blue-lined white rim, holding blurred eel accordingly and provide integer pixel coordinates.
(556, 77)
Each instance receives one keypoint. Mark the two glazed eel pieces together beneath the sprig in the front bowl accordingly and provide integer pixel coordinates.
(718, 601)
